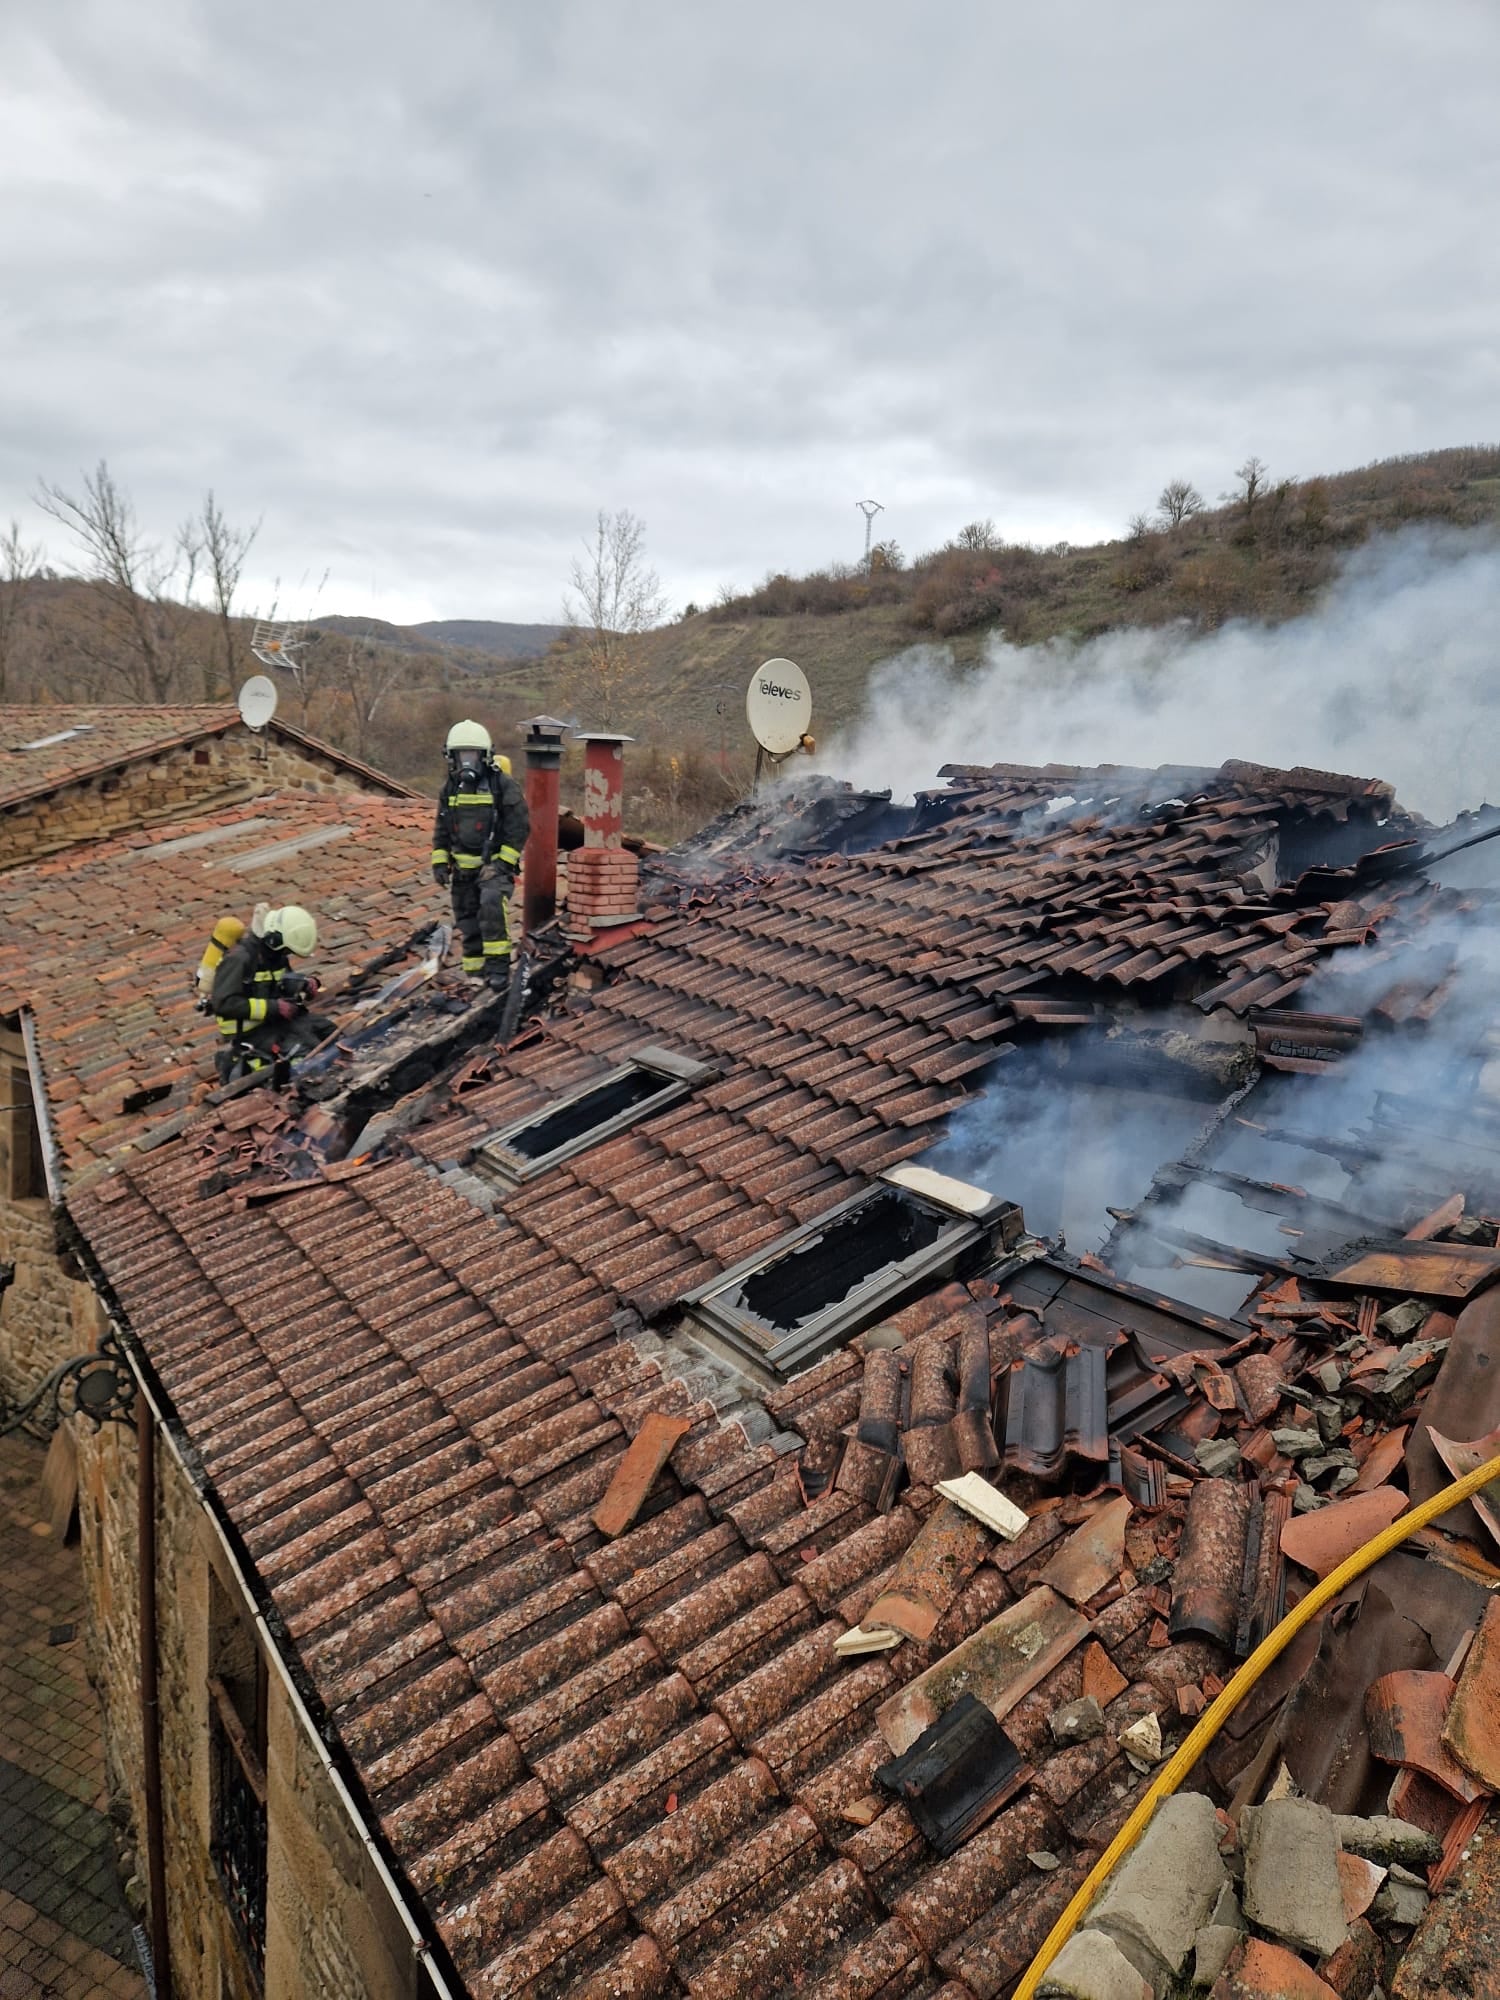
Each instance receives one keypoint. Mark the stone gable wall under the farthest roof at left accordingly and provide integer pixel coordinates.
(167, 787)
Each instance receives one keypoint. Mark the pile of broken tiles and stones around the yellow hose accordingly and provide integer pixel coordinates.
(1351, 1785)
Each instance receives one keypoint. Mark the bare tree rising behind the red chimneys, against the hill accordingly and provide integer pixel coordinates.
(613, 599)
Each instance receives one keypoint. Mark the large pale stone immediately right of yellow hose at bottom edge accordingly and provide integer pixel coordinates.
(1165, 1891)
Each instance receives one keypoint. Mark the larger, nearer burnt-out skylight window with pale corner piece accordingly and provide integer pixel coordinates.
(839, 1275)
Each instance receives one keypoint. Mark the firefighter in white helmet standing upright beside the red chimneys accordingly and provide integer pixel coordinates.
(483, 827)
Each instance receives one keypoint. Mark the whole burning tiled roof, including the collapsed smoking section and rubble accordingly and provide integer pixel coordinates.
(413, 1369)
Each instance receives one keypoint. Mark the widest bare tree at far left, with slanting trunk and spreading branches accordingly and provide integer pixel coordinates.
(145, 587)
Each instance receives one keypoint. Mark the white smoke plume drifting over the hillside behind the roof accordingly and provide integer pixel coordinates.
(1393, 675)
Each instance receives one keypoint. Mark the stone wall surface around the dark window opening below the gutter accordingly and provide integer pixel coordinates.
(331, 1929)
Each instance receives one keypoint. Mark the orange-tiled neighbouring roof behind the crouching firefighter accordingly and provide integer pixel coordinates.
(101, 941)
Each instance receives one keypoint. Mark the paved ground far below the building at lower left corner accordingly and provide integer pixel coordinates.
(63, 1927)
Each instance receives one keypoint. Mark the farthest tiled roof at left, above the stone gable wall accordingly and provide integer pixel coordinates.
(47, 747)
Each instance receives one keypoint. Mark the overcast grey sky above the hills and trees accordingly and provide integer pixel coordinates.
(429, 285)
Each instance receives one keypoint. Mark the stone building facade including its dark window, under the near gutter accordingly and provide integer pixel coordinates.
(271, 1891)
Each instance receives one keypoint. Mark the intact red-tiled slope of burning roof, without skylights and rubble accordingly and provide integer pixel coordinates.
(627, 1767)
